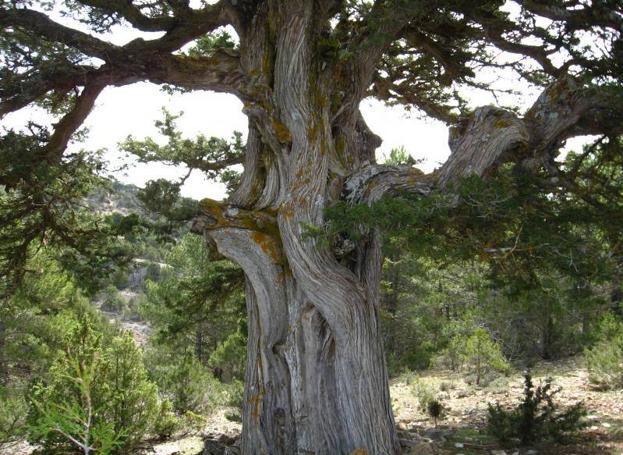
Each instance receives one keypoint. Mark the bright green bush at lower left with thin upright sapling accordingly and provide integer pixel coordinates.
(96, 396)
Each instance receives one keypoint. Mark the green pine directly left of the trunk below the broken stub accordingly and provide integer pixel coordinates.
(199, 310)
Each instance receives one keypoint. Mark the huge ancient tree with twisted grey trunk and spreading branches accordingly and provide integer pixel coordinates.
(316, 380)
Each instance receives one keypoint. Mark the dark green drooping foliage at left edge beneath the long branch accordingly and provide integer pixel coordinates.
(49, 210)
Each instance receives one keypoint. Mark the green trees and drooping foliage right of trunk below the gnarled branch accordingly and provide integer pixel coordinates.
(517, 254)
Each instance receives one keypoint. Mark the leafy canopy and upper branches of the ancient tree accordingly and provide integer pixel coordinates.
(423, 55)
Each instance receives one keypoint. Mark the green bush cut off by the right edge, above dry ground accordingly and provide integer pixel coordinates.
(605, 358)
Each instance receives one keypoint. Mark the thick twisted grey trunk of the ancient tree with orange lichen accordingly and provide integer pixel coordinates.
(316, 381)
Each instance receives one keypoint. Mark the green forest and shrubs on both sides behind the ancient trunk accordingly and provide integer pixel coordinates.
(140, 333)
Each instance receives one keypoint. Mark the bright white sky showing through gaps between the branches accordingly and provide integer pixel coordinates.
(132, 110)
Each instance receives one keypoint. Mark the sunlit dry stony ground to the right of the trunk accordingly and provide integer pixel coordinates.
(462, 431)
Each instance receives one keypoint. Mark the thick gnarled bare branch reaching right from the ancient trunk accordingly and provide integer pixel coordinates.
(492, 136)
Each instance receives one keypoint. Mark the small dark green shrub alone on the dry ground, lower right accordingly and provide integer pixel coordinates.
(536, 418)
